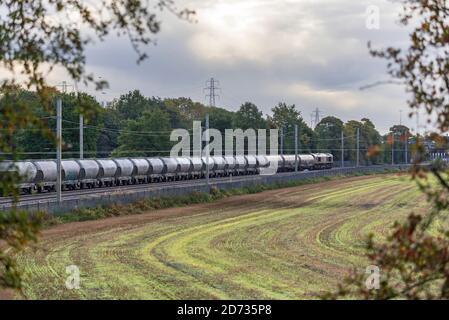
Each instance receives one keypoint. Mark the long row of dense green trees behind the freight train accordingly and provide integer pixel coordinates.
(135, 125)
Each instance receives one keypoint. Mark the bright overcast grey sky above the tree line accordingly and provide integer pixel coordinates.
(312, 53)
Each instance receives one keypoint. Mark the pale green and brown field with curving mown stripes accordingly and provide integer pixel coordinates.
(291, 243)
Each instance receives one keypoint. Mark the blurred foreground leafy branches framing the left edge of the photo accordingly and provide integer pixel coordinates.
(31, 46)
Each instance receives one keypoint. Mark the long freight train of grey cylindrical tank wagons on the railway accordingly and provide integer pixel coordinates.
(41, 175)
